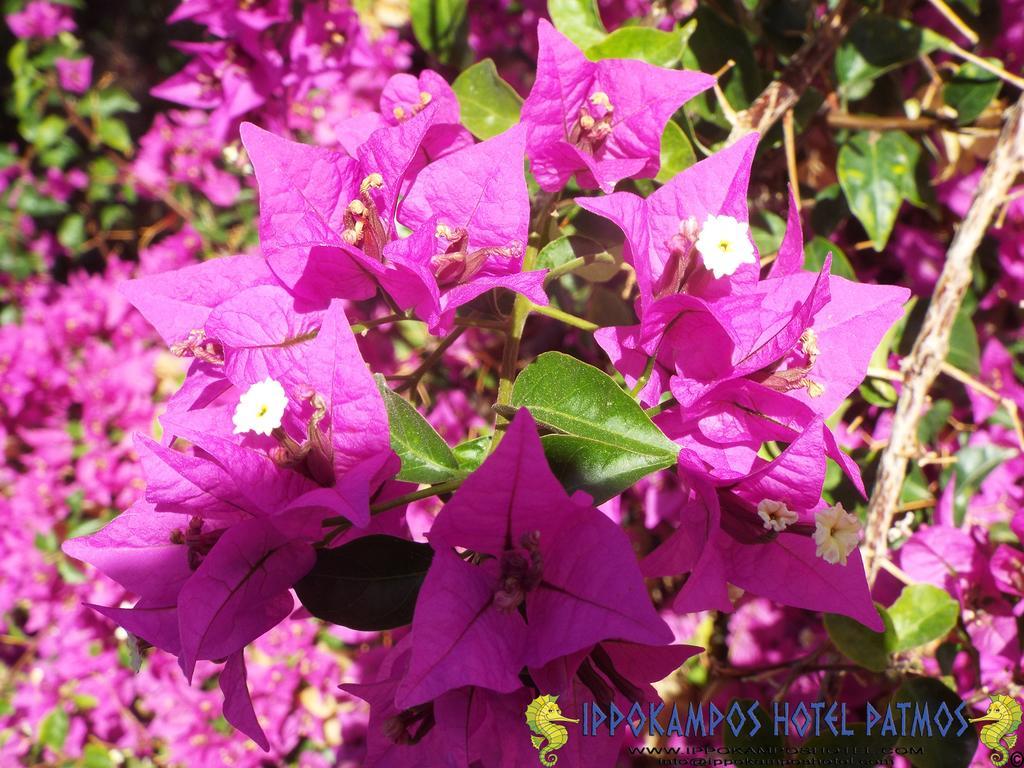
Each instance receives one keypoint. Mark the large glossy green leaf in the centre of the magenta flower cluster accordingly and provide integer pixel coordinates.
(608, 443)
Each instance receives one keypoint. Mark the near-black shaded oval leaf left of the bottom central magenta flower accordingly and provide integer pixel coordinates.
(370, 584)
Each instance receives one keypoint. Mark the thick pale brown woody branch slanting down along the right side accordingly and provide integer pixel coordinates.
(932, 345)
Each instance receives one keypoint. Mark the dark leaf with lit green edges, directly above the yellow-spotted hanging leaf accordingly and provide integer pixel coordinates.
(876, 46)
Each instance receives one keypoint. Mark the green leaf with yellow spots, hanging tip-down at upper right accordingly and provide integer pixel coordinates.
(877, 174)
